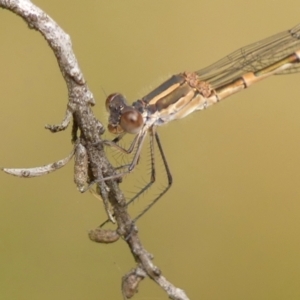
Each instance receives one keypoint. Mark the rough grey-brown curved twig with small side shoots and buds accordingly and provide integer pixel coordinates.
(90, 160)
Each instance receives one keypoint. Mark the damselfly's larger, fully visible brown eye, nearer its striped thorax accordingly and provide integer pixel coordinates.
(131, 120)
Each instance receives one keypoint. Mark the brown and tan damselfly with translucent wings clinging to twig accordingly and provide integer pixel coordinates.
(190, 91)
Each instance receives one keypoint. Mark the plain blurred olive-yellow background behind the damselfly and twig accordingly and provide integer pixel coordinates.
(228, 229)
